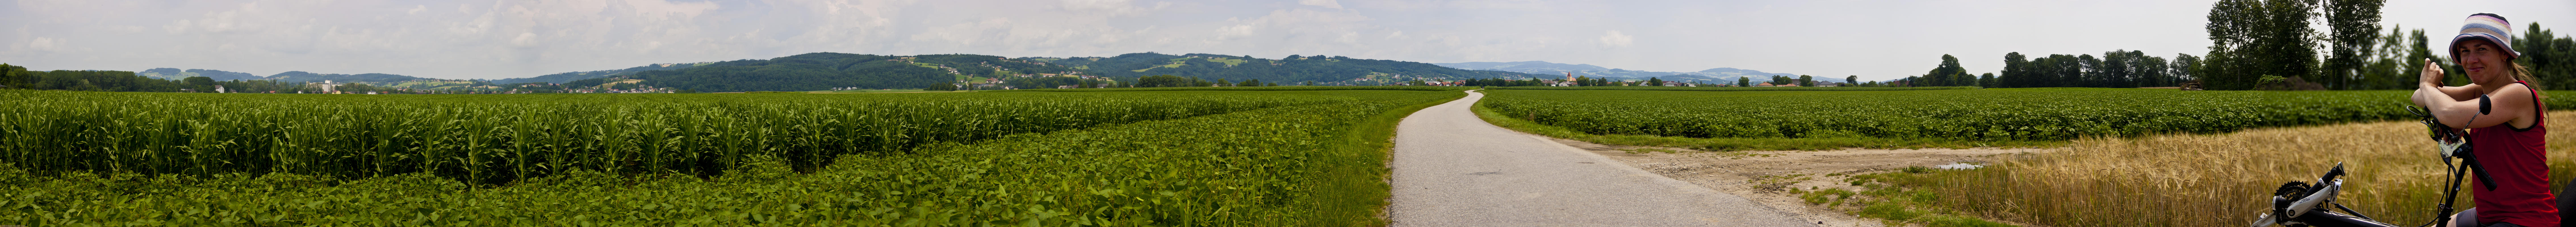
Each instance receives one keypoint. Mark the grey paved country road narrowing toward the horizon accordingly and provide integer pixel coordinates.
(1457, 172)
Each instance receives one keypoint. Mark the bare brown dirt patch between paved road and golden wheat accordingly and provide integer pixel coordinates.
(1768, 177)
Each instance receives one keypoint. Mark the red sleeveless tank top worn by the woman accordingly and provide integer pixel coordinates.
(2521, 166)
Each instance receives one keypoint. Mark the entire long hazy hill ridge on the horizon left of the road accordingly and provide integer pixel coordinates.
(828, 71)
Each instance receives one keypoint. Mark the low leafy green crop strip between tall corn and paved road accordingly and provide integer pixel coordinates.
(1284, 166)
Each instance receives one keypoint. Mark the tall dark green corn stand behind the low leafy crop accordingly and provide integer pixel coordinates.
(501, 138)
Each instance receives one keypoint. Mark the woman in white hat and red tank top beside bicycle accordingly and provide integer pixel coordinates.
(2508, 135)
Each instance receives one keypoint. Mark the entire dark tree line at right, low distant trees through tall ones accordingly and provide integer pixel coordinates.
(2273, 45)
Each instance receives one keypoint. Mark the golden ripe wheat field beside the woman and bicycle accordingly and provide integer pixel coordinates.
(2219, 179)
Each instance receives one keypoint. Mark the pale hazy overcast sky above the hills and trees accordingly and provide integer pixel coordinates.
(491, 40)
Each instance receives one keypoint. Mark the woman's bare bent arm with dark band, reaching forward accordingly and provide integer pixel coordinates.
(2508, 104)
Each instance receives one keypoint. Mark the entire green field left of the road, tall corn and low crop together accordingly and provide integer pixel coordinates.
(1171, 159)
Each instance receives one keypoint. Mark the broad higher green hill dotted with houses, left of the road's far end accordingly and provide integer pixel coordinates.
(826, 71)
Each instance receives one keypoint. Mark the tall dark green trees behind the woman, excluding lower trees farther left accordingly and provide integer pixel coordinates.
(2276, 45)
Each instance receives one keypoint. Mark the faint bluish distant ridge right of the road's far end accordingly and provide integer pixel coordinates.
(1591, 71)
